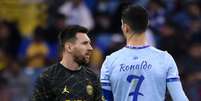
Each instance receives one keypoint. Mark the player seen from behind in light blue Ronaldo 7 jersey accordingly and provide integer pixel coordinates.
(138, 71)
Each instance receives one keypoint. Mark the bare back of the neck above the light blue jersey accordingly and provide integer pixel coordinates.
(136, 40)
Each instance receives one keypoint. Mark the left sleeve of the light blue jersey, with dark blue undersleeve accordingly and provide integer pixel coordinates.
(105, 80)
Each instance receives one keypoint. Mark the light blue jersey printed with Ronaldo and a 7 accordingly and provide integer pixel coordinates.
(138, 74)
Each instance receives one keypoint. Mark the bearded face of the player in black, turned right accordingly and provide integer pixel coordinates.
(82, 49)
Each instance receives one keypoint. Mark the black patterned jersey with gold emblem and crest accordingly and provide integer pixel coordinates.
(58, 83)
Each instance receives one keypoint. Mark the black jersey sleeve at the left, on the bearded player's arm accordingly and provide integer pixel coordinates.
(41, 91)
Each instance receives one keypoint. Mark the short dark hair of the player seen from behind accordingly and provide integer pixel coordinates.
(136, 17)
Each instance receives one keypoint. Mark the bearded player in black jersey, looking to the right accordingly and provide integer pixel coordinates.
(70, 79)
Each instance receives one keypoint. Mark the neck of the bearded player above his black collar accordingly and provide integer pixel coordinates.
(69, 63)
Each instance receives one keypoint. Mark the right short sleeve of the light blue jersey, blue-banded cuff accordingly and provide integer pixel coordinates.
(172, 73)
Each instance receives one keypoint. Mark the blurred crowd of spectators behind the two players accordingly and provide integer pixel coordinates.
(29, 29)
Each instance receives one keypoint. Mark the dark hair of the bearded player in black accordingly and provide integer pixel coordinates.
(69, 34)
